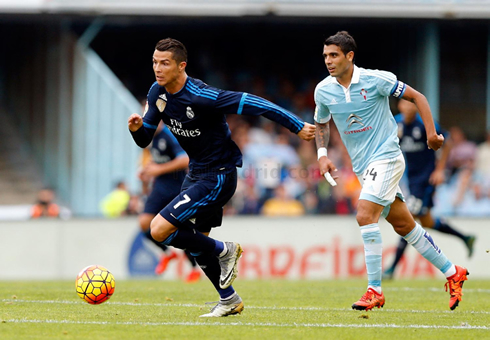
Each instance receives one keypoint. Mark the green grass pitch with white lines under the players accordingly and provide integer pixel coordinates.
(157, 309)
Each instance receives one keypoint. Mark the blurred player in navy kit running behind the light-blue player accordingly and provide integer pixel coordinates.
(424, 172)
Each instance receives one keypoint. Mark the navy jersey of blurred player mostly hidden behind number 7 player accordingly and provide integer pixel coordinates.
(165, 148)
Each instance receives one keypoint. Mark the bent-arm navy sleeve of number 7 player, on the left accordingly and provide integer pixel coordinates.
(151, 117)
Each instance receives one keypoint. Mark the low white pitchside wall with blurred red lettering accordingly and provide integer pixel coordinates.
(292, 248)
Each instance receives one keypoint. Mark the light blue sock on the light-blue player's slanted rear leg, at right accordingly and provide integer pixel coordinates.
(423, 242)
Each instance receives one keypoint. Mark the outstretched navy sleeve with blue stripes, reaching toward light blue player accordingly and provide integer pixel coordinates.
(243, 103)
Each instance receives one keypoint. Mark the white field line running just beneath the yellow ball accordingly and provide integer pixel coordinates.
(317, 309)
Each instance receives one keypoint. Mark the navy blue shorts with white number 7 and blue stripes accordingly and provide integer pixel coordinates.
(200, 203)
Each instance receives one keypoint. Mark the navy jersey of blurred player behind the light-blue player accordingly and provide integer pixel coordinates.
(420, 160)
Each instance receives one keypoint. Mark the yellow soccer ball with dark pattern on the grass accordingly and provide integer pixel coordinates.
(95, 284)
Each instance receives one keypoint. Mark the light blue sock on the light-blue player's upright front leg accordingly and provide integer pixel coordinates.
(373, 249)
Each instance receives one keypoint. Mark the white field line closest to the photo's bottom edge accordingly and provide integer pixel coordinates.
(248, 324)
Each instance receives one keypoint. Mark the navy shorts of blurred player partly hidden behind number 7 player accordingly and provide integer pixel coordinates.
(162, 193)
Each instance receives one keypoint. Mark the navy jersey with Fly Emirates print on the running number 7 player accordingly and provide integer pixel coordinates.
(196, 117)
